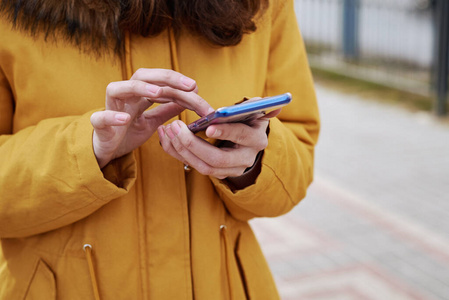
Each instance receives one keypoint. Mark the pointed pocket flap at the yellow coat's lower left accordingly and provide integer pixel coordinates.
(42, 284)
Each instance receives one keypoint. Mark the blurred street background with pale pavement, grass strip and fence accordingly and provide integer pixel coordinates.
(375, 222)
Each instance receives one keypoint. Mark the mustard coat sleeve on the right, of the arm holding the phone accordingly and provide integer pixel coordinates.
(287, 163)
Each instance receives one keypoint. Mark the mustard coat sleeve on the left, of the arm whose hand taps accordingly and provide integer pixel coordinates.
(49, 176)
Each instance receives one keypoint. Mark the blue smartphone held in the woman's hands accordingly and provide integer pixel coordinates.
(242, 112)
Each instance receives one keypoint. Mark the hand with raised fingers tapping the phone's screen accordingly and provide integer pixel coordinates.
(126, 123)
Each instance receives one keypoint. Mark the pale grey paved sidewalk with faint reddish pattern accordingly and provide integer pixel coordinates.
(375, 223)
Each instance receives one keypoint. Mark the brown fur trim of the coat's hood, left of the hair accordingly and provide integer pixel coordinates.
(90, 25)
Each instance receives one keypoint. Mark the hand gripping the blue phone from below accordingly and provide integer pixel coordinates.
(247, 141)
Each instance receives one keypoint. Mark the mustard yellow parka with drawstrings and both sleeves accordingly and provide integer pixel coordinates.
(154, 230)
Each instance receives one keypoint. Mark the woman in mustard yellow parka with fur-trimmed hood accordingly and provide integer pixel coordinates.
(117, 199)
